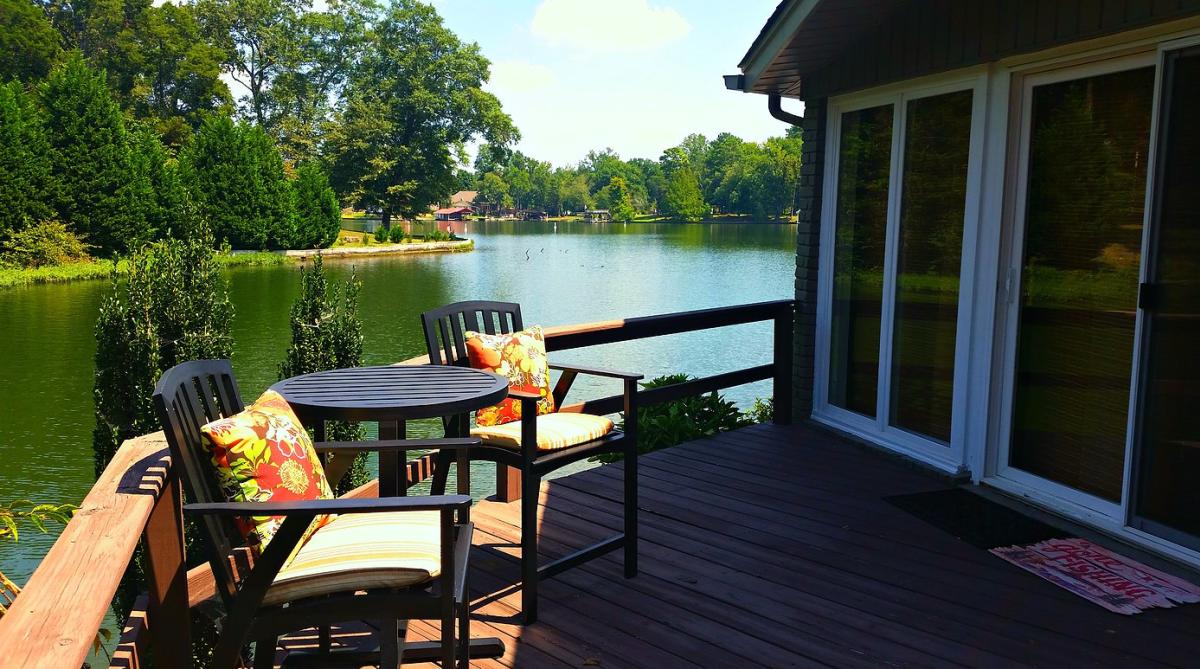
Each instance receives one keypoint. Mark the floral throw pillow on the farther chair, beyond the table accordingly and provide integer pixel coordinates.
(521, 359)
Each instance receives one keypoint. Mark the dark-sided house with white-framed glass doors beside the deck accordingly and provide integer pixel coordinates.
(999, 255)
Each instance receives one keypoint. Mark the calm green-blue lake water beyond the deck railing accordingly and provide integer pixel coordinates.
(561, 274)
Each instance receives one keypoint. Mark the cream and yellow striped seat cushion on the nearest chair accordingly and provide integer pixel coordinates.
(363, 551)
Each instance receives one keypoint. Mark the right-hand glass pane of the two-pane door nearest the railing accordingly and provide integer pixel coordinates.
(937, 148)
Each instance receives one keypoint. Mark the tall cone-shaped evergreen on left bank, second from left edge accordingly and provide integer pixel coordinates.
(89, 154)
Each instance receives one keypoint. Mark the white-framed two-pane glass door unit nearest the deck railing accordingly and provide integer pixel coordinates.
(898, 220)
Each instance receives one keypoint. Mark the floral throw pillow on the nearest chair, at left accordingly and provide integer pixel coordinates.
(266, 455)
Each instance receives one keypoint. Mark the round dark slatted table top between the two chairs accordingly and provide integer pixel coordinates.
(392, 393)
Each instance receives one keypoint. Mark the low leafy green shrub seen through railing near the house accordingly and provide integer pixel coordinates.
(662, 426)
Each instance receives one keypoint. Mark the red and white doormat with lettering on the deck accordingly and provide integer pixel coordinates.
(1114, 582)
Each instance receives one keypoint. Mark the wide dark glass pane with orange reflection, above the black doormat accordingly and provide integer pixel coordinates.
(1088, 146)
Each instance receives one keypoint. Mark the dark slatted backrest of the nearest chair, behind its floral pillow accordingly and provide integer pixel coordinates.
(187, 397)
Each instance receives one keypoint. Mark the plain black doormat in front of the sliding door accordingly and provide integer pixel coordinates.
(975, 520)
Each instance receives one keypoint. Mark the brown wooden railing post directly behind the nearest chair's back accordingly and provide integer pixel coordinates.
(169, 616)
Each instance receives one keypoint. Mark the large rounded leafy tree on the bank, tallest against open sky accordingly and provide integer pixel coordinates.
(412, 105)
